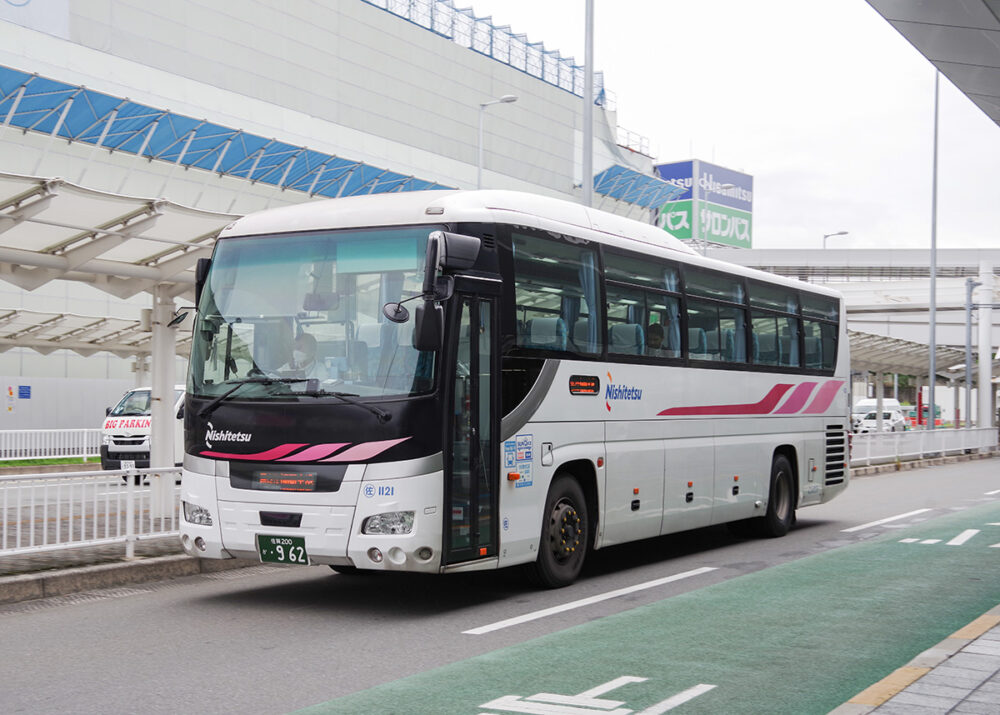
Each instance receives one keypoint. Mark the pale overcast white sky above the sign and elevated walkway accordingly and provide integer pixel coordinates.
(824, 103)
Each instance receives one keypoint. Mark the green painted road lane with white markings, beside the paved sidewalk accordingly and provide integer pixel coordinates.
(801, 637)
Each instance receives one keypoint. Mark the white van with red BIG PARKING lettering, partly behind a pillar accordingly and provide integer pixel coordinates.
(127, 427)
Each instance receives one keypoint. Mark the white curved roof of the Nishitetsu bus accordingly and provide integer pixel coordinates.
(486, 206)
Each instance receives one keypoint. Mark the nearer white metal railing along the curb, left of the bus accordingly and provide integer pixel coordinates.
(45, 512)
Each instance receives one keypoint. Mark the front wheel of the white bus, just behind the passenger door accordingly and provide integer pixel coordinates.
(565, 534)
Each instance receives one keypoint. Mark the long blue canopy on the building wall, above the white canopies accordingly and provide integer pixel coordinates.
(77, 113)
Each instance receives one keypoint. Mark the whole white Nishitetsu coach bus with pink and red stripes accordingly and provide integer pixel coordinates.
(445, 381)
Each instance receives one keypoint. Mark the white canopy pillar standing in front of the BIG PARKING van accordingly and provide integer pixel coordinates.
(161, 438)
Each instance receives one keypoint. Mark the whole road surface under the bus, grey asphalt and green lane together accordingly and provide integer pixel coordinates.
(798, 624)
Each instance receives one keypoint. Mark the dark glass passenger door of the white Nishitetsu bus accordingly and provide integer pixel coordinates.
(471, 452)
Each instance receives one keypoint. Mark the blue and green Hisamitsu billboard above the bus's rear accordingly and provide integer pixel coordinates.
(716, 205)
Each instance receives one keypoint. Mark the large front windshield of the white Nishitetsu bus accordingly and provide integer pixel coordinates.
(309, 306)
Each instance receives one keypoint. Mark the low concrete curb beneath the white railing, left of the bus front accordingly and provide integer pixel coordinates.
(60, 582)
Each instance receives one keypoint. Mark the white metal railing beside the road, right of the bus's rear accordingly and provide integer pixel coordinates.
(881, 448)
